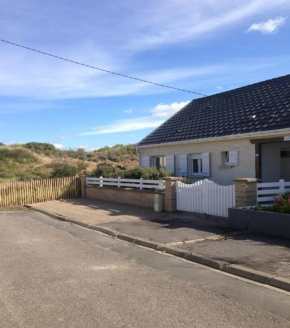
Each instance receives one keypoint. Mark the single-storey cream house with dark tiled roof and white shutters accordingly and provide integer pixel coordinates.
(242, 133)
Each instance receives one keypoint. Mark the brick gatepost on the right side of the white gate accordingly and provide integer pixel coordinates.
(246, 191)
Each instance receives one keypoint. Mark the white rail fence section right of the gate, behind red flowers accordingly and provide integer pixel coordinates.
(268, 192)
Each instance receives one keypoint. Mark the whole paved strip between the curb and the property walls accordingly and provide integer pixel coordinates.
(204, 235)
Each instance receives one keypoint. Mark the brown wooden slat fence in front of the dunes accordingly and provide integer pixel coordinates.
(35, 191)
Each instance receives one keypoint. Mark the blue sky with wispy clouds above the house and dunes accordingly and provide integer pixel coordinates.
(207, 46)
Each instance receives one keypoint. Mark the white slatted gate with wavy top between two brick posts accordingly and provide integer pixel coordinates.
(205, 197)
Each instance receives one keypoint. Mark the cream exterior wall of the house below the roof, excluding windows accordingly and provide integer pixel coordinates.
(225, 176)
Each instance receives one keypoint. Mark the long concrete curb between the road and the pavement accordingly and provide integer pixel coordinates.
(234, 269)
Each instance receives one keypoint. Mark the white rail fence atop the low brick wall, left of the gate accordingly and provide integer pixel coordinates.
(129, 183)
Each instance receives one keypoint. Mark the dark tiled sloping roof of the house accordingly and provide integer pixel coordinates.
(258, 107)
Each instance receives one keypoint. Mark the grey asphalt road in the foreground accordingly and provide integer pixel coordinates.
(54, 274)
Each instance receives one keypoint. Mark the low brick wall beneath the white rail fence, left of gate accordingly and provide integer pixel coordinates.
(122, 195)
